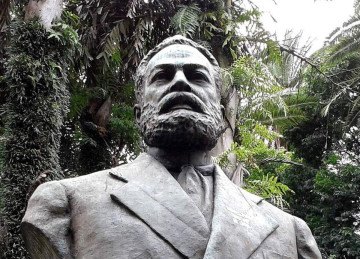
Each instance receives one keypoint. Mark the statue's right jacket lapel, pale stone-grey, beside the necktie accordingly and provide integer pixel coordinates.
(238, 226)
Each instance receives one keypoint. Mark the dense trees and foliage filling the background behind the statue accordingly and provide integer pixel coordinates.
(66, 97)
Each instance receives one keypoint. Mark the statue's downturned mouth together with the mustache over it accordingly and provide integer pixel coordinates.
(178, 101)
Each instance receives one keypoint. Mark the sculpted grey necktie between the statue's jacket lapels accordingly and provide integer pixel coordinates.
(197, 182)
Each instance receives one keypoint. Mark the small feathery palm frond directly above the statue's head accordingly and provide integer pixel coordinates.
(186, 21)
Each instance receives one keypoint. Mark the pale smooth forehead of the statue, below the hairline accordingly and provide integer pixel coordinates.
(179, 54)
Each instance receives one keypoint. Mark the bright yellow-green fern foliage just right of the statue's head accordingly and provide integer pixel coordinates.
(269, 106)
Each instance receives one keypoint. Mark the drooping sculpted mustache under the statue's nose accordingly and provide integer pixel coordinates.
(177, 98)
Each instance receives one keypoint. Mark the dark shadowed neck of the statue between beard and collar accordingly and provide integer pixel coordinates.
(176, 159)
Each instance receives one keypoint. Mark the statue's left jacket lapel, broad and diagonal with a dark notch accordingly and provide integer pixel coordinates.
(155, 197)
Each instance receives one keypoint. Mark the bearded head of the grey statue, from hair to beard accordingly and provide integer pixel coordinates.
(178, 96)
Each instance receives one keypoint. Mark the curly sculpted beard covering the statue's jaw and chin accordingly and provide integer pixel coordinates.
(181, 128)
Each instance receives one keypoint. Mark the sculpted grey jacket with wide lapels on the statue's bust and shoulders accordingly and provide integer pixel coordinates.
(139, 210)
